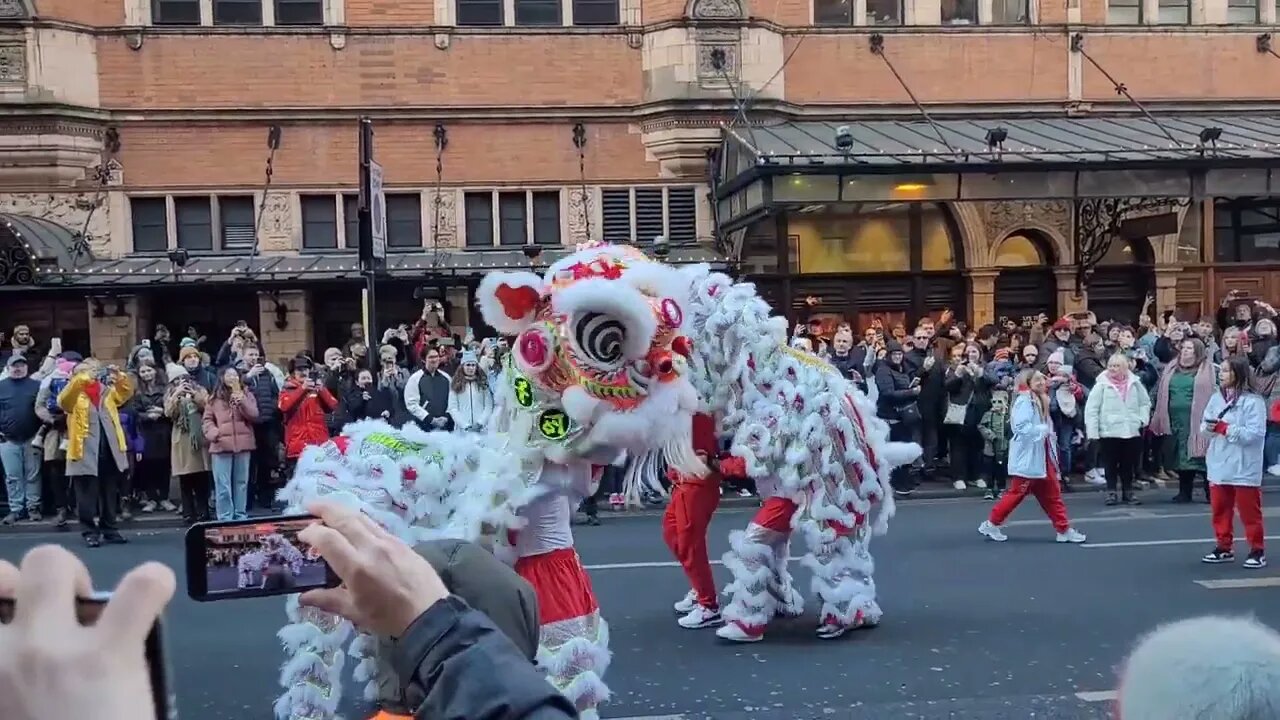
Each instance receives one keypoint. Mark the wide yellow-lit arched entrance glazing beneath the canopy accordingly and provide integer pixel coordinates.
(867, 262)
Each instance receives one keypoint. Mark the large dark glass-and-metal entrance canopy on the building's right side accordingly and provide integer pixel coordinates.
(1177, 156)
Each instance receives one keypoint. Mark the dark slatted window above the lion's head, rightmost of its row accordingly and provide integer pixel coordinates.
(639, 215)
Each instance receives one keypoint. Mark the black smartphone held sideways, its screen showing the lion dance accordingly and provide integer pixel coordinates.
(259, 558)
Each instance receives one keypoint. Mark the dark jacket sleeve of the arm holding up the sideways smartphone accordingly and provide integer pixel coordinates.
(461, 667)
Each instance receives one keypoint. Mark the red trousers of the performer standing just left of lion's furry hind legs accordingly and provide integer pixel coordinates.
(684, 530)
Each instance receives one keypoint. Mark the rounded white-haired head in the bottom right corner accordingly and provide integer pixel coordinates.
(1204, 669)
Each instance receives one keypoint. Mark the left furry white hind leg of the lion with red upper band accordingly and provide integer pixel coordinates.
(758, 590)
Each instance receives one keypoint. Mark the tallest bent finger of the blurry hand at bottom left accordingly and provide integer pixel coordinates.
(49, 582)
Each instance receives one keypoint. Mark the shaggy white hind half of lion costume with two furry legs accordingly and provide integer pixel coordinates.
(817, 453)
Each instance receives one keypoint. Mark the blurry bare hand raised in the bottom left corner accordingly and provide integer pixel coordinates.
(53, 667)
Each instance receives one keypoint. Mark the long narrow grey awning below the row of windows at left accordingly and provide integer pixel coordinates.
(149, 271)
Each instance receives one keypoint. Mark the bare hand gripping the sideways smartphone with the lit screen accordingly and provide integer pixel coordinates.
(386, 585)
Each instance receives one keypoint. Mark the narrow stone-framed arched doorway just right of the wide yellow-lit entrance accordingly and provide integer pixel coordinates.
(1026, 286)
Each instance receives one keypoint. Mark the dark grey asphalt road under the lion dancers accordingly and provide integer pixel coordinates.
(973, 630)
